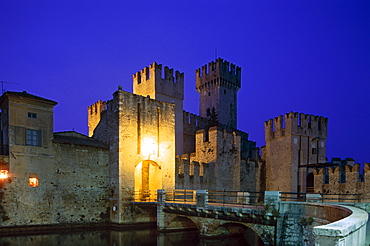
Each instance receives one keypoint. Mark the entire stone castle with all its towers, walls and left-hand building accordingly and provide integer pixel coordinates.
(144, 141)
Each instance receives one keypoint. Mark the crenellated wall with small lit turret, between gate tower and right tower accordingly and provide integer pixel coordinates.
(216, 164)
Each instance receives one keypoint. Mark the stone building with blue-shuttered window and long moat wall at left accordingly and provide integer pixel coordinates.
(48, 178)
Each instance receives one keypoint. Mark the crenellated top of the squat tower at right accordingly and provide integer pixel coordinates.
(294, 123)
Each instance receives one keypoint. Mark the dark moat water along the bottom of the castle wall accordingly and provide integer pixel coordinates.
(146, 237)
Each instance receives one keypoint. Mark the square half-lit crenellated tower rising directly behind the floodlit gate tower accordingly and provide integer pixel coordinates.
(150, 82)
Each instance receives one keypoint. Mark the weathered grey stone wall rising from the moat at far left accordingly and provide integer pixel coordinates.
(73, 187)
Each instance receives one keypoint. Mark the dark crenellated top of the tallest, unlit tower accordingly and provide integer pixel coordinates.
(220, 72)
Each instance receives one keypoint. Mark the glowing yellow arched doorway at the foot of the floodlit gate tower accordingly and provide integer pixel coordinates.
(148, 179)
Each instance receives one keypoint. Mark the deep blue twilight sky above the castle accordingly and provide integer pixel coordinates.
(301, 55)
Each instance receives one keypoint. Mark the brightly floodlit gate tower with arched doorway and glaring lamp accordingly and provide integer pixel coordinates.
(141, 134)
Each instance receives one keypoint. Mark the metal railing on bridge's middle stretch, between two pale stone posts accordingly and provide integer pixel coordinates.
(239, 198)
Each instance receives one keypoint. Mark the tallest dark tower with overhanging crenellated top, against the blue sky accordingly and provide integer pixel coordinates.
(218, 84)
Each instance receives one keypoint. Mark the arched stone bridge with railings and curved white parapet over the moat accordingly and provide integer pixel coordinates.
(273, 221)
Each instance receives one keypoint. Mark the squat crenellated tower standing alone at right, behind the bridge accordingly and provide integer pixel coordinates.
(295, 144)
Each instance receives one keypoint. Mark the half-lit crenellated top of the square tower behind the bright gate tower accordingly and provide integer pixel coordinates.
(153, 79)
